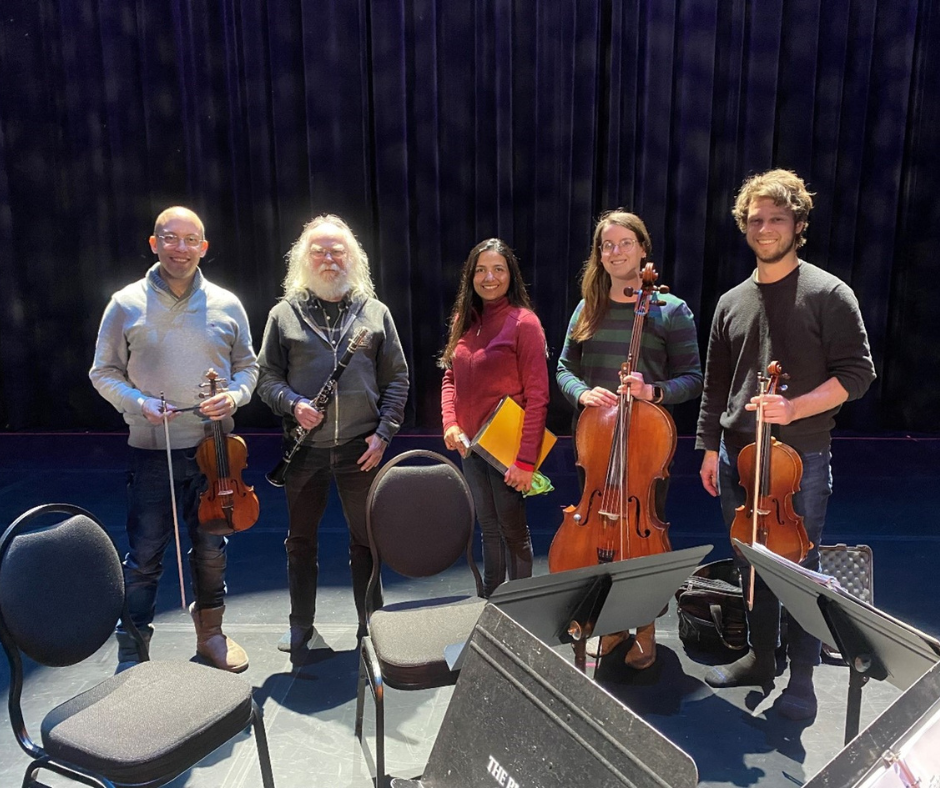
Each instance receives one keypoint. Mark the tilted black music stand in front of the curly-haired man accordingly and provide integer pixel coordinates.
(875, 645)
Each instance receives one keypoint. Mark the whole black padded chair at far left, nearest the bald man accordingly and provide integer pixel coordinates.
(61, 594)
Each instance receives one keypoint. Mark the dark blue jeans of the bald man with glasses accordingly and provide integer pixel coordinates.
(150, 530)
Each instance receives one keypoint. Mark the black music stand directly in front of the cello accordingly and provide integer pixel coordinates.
(572, 606)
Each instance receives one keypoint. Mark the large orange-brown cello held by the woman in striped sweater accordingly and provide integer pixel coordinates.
(625, 451)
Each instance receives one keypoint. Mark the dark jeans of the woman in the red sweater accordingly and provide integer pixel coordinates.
(500, 509)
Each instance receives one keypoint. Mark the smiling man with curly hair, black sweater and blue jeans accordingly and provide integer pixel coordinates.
(789, 311)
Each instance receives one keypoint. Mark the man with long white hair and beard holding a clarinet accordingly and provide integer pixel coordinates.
(328, 298)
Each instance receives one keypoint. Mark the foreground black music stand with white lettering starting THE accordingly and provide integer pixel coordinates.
(522, 715)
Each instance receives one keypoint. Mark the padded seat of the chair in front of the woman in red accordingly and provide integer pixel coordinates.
(410, 639)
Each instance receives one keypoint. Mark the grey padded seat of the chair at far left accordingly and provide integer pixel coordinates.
(104, 728)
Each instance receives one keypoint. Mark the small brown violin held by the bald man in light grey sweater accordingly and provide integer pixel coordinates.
(227, 504)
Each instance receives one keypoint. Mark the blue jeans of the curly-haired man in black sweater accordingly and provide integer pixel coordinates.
(763, 622)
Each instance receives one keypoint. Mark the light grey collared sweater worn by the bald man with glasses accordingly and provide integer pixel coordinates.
(150, 342)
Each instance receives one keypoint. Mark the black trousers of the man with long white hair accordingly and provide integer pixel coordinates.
(308, 488)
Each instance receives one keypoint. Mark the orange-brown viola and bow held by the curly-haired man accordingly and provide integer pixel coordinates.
(770, 471)
